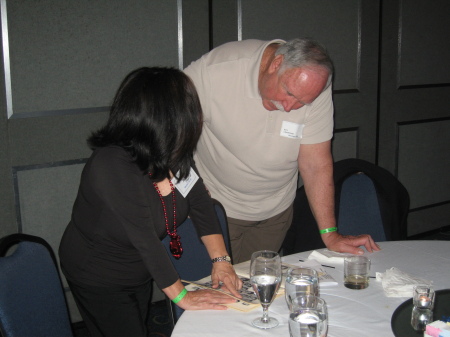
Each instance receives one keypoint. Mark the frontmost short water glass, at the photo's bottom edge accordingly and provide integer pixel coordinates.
(308, 317)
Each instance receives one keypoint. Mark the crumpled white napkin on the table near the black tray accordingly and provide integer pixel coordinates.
(399, 284)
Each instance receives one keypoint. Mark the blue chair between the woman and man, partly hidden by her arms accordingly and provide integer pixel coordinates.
(195, 262)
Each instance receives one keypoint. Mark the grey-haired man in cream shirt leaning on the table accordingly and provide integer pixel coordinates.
(249, 153)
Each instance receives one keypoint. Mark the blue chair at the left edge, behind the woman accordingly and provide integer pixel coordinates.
(32, 301)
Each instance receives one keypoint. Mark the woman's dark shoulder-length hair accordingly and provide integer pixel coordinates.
(156, 116)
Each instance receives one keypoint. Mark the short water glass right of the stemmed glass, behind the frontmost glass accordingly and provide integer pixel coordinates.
(301, 281)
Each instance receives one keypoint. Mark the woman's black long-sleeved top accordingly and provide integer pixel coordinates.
(114, 236)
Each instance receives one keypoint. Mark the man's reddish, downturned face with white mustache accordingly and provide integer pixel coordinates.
(292, 89)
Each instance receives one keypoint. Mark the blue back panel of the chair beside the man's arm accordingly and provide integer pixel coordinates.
(359, 211)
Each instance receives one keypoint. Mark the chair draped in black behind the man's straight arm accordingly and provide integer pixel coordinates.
(368, 200)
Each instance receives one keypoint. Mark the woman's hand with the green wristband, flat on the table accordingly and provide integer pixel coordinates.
(205, 299)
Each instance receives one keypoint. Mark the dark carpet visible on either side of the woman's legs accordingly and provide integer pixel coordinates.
(160, 325)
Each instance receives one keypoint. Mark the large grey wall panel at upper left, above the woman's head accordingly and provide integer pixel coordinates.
(62, 55)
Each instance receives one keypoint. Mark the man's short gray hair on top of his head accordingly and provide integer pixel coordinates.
(304, 52)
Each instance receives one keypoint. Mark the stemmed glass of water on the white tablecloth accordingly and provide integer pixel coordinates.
(265, 277)
